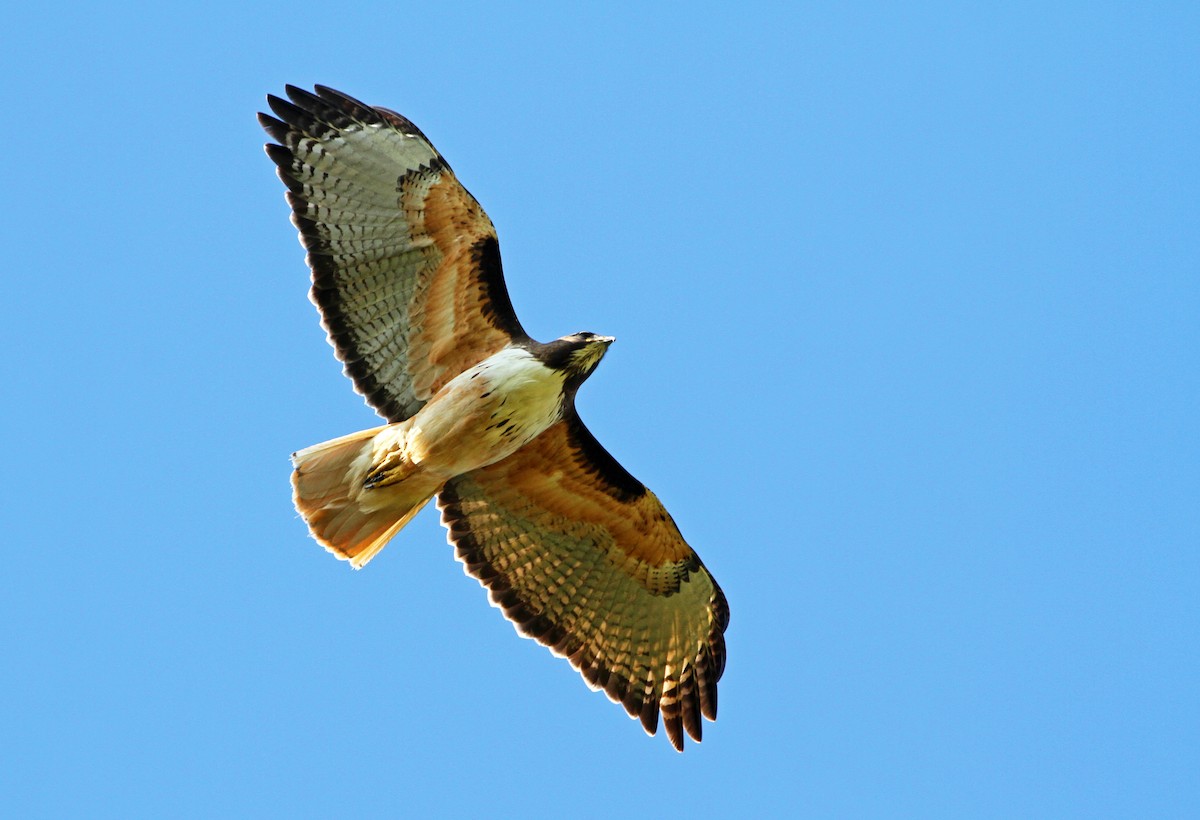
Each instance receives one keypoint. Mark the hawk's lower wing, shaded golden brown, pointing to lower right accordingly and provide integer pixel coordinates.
(585, 560)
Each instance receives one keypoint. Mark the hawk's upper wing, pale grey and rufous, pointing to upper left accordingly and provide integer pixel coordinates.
(406, 267)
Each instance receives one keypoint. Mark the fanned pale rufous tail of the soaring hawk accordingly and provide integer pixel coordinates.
(349, 519)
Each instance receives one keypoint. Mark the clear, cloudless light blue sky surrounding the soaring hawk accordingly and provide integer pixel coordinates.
(908, 306)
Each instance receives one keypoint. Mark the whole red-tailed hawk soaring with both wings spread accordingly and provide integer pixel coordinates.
(406, 272)
